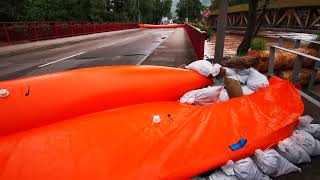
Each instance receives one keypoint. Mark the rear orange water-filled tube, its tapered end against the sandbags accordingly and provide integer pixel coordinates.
(40, 100)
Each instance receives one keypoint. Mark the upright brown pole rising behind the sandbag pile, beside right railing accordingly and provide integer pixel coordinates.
(221, 27)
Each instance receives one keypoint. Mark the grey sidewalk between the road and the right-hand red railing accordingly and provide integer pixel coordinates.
(174, 51)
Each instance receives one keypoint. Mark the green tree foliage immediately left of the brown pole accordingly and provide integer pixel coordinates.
(189, 9)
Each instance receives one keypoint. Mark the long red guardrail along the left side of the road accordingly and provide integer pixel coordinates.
(17, 32)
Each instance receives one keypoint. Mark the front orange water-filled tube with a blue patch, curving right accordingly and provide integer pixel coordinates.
(126, 143)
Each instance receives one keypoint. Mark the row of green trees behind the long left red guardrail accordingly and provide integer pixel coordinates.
(151, 11)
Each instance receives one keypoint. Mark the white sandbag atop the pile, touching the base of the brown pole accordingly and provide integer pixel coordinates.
(204, 68)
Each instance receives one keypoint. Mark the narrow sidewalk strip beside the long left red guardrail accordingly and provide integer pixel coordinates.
(46, 44)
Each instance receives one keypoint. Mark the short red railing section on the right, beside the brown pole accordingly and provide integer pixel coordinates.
(198, 39)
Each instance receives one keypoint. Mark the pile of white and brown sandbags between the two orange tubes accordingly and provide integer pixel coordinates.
(236, 83)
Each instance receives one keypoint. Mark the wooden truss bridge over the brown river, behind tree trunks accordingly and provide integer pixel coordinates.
(285, 15)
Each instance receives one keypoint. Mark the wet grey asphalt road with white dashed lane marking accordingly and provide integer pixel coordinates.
(127, 48)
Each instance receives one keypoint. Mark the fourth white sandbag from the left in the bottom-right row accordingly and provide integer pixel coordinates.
(293, 152)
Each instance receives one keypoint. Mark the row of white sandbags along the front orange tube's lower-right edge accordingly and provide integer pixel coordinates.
(279, 161)
